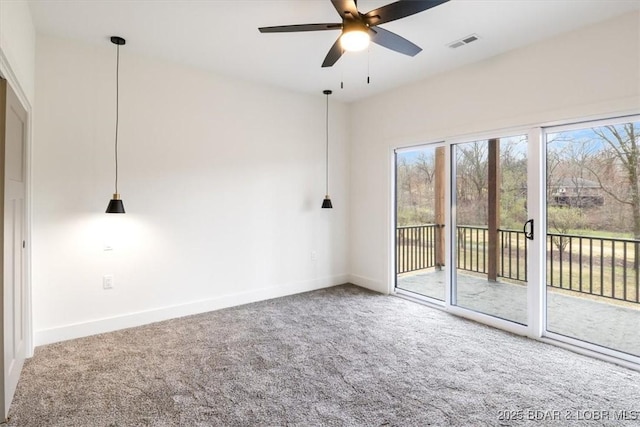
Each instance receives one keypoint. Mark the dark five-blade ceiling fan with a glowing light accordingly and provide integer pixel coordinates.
(360, 28)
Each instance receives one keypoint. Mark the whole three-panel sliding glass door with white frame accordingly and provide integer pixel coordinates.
(537, 232)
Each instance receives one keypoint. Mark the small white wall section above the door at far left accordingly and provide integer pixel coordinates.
(17, 47)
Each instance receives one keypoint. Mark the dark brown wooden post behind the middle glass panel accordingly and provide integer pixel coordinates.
(493, 206)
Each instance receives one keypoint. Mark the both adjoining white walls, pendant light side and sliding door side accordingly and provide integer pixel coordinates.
(222, 180)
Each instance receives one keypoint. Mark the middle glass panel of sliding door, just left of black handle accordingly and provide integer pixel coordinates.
(490, 218)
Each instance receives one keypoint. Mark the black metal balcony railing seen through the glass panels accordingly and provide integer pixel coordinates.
(601, 266)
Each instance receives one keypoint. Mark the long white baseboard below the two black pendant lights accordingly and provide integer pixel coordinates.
(99, 326)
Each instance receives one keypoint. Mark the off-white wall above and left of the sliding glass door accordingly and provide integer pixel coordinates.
(591, 72)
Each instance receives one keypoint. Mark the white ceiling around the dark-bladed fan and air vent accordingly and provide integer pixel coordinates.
(222, 35)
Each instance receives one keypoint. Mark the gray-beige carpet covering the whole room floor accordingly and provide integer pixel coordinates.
(336, 357)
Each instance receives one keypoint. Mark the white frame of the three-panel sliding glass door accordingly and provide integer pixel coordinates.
(536, 210)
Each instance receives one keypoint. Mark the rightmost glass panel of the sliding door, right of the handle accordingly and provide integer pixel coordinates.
(593, 237)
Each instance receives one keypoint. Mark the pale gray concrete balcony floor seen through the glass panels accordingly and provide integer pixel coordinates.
(592, 319)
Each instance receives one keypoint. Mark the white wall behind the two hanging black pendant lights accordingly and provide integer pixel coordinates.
(222, 182)
